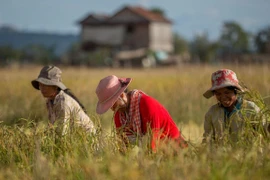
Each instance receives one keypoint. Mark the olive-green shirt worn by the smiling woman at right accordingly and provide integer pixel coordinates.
(219, 123)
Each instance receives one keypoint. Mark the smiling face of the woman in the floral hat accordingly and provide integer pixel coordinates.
(226, 97)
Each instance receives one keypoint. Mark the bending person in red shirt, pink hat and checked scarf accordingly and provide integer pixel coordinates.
(135, 113)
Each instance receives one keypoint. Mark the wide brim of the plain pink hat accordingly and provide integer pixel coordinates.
(103, 107)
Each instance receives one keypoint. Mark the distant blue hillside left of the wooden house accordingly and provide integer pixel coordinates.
(19, 39)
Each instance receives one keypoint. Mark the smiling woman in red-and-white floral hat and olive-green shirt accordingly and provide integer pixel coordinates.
(232, 114)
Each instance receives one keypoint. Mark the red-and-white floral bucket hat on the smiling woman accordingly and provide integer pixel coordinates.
(220, 79)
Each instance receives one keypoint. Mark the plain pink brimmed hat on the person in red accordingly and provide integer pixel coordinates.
(108, 91)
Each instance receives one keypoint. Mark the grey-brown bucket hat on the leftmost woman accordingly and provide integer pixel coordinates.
(51, 76)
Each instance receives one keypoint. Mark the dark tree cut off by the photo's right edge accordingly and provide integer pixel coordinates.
(262, 40)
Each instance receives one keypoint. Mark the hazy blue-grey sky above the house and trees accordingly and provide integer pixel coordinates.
(190, 18)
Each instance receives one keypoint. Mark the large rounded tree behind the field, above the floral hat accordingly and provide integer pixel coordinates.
(233, 39)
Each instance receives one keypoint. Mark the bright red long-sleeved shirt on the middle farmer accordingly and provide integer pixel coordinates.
(155, 116)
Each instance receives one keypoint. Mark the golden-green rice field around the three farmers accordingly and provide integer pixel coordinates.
(28, 150)
